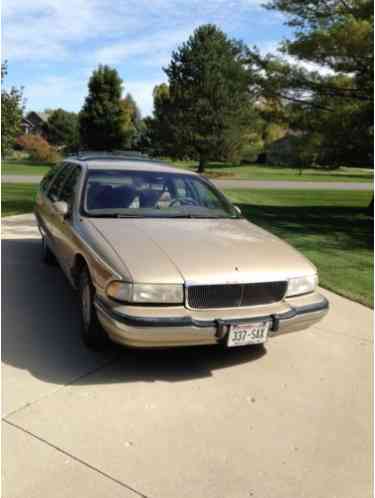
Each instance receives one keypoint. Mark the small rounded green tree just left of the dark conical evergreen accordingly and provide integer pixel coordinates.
(63, 129)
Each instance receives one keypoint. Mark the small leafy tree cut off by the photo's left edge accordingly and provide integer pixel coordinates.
(12, 106)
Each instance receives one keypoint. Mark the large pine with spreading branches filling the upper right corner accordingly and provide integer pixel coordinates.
(335, 101)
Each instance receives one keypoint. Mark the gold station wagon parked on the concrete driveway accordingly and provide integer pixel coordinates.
(161, 258)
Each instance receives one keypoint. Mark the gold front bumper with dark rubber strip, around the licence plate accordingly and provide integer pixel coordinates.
(146, 327)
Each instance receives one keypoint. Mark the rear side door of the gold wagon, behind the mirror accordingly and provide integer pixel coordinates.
(51, 217)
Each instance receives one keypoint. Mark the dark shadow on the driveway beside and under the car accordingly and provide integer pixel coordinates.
(40, 332)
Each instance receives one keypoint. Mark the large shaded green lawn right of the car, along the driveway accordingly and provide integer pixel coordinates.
(329, 227)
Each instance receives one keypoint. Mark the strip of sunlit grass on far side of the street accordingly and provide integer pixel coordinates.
(227, 171)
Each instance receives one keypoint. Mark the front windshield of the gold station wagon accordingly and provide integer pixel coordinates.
(119, 193)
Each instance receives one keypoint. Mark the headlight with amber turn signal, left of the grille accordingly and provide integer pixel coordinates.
(146, 293)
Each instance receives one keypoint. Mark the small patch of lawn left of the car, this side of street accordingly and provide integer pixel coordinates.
(17, 198)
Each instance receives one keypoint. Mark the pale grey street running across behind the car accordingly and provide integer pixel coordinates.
(240, 184)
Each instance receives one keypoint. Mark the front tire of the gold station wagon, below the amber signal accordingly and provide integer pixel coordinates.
(92, 333)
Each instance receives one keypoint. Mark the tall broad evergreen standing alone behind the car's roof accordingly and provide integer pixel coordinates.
(208, 96)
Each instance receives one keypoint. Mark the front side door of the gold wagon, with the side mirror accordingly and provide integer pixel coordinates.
(64, 239)
